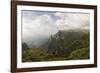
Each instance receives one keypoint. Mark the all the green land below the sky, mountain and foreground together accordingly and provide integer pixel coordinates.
(62, 46)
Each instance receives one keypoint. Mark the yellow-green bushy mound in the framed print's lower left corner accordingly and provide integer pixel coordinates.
(34, 54)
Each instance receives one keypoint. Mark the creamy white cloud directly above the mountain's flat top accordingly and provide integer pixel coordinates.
(72, 20)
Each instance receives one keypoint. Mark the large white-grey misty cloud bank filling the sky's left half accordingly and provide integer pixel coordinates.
(36, 27)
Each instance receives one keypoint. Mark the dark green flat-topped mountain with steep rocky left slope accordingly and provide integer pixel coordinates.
(65, 41)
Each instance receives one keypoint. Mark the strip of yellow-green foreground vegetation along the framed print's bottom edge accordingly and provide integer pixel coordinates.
(36, 54)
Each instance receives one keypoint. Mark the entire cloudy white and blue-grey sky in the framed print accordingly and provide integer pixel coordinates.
(38, 25)
